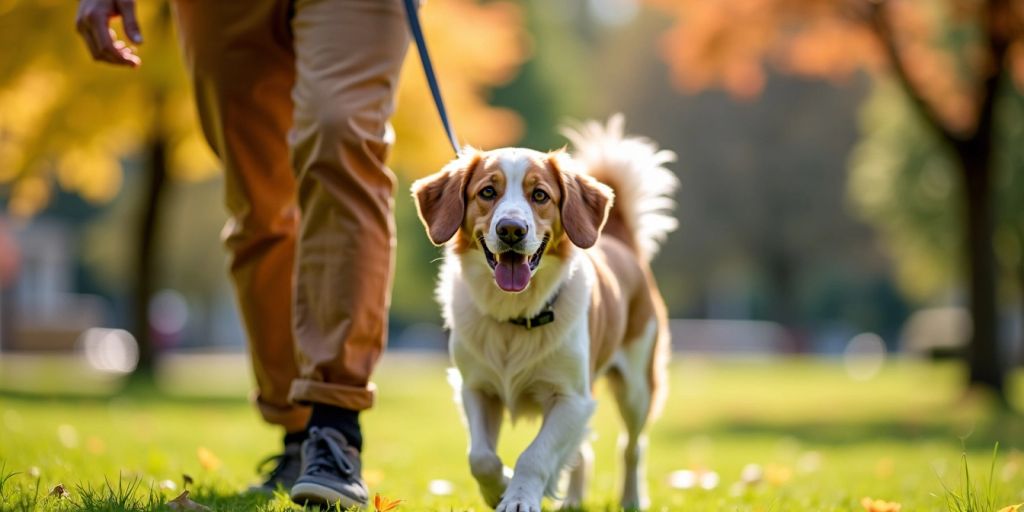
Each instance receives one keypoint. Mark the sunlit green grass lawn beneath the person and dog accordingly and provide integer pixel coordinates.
(823, 441)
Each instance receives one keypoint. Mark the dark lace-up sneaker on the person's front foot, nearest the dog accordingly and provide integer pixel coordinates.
(332, 472)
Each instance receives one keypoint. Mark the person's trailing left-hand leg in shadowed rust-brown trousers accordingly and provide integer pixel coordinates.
(242, 62)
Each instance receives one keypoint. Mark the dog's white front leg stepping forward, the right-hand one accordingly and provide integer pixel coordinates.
(540, 466)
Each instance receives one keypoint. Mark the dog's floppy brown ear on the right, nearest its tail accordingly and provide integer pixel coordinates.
(586, 202)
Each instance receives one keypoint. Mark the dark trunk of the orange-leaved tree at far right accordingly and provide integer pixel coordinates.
(987, 368)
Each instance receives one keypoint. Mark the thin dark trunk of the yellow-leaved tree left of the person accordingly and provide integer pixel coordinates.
(147, 251)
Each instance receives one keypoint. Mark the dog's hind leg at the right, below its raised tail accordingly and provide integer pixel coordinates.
(631, 387)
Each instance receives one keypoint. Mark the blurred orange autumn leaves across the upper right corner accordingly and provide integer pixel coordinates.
(732, 45)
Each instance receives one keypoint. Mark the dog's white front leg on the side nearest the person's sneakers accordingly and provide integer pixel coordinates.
(484, 418)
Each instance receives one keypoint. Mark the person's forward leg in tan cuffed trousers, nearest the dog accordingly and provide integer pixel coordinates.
(349, 54)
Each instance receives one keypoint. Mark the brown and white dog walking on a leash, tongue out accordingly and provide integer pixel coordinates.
(541, 303)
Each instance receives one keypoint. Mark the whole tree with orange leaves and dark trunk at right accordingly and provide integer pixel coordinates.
(952, 61)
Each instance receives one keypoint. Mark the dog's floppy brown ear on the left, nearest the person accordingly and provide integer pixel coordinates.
(441, 198)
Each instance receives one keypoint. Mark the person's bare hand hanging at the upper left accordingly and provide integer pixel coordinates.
(94, 24)
